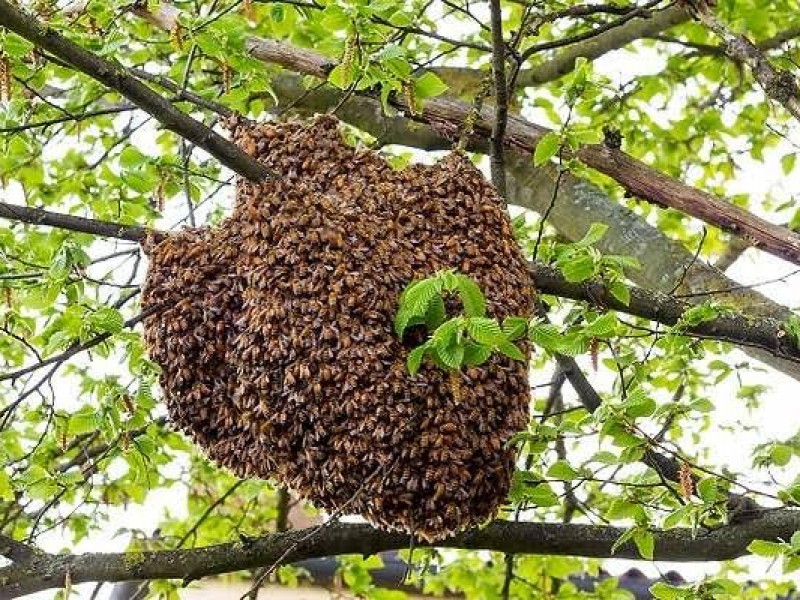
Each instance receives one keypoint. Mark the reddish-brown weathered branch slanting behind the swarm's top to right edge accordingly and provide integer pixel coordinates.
(637, 178)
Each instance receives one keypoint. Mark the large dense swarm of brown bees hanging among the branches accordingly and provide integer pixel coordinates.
(276, 342)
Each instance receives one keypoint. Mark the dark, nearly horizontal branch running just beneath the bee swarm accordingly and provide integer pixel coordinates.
(725, 543)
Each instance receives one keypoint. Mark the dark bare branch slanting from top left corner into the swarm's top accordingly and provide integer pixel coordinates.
(117, 78)
